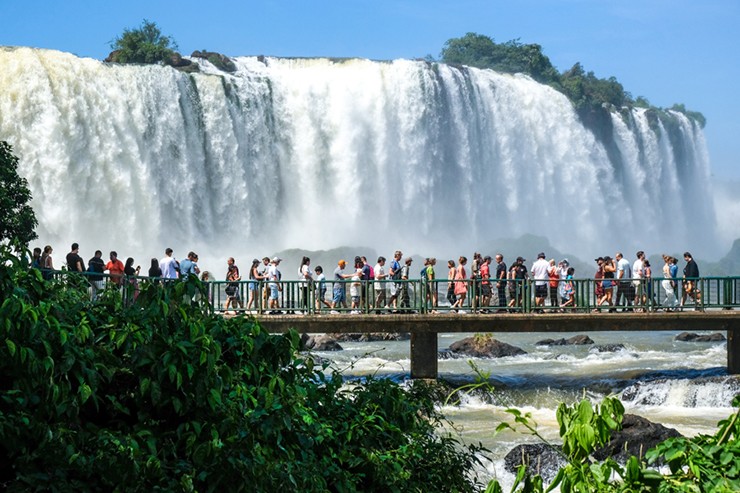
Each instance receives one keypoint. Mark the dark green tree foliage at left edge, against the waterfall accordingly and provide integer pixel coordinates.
(17, 219)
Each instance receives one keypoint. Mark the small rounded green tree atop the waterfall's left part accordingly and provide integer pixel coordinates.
(145, 44)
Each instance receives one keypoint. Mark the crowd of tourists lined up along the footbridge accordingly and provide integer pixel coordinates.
(485, 285)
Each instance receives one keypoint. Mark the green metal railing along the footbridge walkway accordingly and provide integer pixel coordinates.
(417, 295)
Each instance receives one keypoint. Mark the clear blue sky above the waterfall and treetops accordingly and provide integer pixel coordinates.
(669, 51)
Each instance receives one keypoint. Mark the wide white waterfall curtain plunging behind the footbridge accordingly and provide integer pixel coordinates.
(314, 154)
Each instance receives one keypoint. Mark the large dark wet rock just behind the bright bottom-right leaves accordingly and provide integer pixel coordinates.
(635, 438)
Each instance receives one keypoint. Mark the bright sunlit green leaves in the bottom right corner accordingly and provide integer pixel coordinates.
(703, 463)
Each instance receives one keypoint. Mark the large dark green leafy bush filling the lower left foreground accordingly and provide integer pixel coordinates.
(163, 395)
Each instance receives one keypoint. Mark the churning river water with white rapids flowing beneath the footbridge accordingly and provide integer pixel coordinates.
(678, 384)
